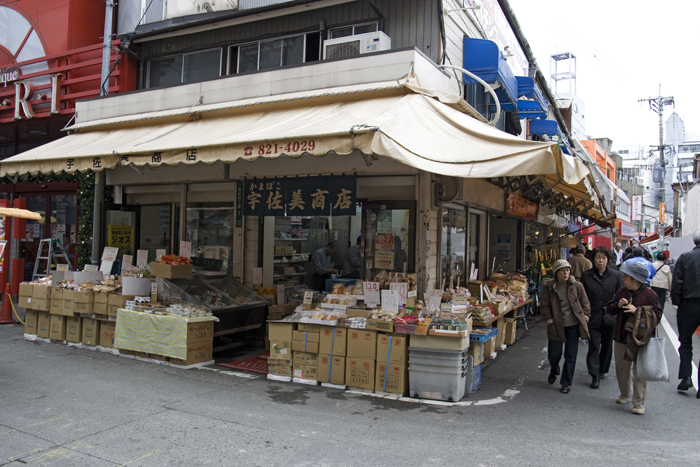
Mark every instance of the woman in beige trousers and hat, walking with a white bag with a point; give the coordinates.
(638, 311)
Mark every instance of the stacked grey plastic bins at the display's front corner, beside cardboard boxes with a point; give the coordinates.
(438, 382)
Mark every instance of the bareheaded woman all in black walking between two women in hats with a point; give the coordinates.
(600, 282)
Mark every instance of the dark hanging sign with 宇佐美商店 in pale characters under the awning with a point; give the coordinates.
(307, 196)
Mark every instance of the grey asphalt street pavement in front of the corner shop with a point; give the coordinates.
(66, 406)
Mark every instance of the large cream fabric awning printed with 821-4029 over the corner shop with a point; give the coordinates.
(403, 122)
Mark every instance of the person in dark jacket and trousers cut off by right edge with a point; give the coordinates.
(685, 293)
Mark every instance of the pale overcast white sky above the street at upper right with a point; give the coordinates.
(624, 50)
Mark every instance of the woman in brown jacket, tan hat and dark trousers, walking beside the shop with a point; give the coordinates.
(565, 309)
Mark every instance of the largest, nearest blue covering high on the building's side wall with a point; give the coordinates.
(483, 58)
